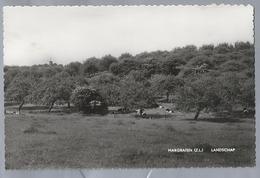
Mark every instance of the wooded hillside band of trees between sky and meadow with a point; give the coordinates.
(193, 79)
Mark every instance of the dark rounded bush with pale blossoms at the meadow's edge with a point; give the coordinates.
(88, 100)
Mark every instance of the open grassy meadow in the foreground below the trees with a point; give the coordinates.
(59, 140)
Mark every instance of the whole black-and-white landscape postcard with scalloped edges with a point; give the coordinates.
(129, 86)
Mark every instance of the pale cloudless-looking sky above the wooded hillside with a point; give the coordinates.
(35, 35)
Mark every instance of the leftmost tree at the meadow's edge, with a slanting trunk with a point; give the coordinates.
(18, 90)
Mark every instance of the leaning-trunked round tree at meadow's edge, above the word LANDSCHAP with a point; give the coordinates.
(198, 94)
